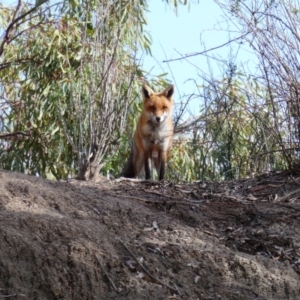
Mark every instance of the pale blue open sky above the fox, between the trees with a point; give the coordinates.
(194, 29)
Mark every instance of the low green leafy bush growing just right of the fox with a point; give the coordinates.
(233, 137)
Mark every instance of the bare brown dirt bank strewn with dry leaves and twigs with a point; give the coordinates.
(150, 240)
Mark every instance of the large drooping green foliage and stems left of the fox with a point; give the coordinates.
(68, 73)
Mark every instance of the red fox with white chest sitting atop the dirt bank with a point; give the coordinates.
(153, 136)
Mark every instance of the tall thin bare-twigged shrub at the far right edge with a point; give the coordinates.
(270, 28)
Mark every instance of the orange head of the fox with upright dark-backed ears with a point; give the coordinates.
(158, 106)
